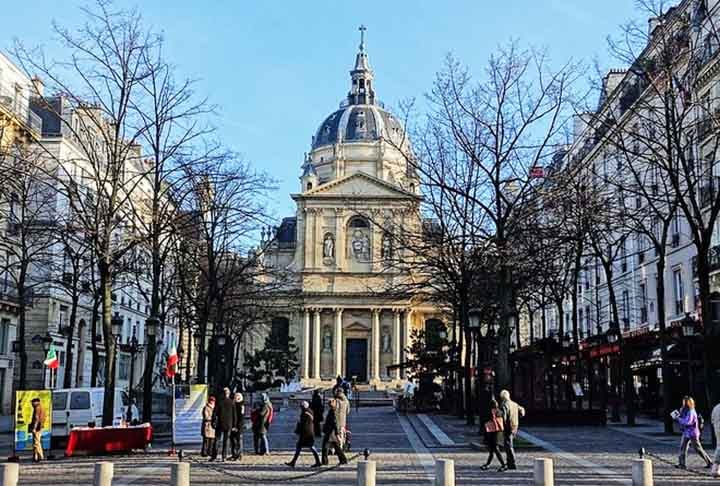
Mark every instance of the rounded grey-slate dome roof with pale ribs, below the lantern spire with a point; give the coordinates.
(357, 123)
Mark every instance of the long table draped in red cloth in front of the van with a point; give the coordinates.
(98, 440)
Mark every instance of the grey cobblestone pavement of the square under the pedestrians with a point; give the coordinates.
(405, 449)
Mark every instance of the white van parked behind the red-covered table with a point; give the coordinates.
(82, 407)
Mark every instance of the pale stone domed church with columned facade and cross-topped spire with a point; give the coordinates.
(355, 183)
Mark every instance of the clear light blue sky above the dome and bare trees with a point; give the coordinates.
(277, 68)
